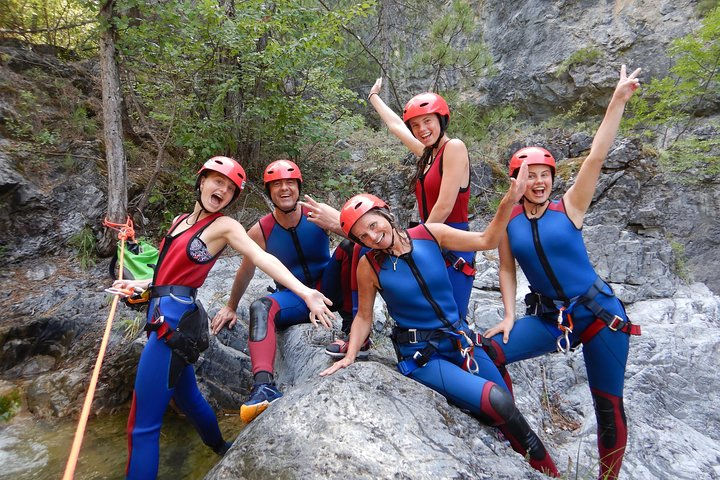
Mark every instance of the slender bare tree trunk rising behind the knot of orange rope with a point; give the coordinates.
(112, 129)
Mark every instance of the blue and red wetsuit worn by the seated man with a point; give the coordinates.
(305, 251)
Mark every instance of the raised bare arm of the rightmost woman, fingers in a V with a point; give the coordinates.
(577, 199)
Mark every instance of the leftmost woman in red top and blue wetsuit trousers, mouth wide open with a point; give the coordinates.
(176, 323)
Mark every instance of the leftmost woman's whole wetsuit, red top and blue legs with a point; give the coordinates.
(162, 375)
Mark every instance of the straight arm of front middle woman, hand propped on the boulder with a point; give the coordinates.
(362, 323)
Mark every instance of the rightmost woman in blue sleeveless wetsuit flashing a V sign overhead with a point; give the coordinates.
(569, 303)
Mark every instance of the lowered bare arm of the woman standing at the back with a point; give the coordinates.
(456, 175)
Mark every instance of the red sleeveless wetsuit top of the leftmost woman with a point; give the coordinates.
(184, 258)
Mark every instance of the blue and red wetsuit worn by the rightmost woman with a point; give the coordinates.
(553, 257)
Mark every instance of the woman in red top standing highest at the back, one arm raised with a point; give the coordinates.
(442, 176)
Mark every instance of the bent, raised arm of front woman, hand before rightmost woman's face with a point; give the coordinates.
(454, 239)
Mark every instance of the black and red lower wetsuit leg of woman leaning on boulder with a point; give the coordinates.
(499, 410)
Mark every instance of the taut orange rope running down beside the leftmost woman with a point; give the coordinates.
(125, 231)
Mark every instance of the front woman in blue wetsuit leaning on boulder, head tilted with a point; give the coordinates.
(433, 343)
